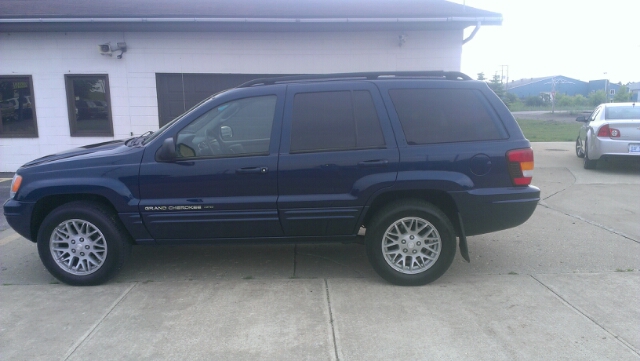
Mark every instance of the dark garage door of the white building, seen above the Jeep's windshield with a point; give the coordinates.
(177, 93)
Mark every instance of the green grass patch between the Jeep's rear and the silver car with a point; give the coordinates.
(549, 130)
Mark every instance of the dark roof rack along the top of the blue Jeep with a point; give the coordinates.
(439, 74)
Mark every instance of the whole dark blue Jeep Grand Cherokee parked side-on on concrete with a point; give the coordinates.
(419, 160)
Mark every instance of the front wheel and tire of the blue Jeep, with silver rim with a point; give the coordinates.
(94, 234)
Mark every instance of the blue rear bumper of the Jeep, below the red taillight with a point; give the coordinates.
(493, 209)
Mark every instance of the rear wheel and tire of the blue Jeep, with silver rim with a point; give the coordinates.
(401, 214)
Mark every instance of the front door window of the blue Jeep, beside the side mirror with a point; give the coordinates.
(239, 127)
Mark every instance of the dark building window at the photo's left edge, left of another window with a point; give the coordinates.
(17, 107)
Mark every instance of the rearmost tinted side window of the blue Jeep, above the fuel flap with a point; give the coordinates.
(444, 115)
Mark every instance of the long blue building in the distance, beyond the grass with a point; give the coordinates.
(539, 86)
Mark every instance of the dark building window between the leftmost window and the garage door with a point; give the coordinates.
(89, 105)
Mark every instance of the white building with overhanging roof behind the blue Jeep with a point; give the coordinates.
(57, 90)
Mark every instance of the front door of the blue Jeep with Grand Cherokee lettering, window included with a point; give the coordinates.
(223, 184)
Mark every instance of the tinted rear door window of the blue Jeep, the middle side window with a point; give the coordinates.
(340, 120)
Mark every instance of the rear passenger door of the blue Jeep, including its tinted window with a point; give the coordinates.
(337, 150)
